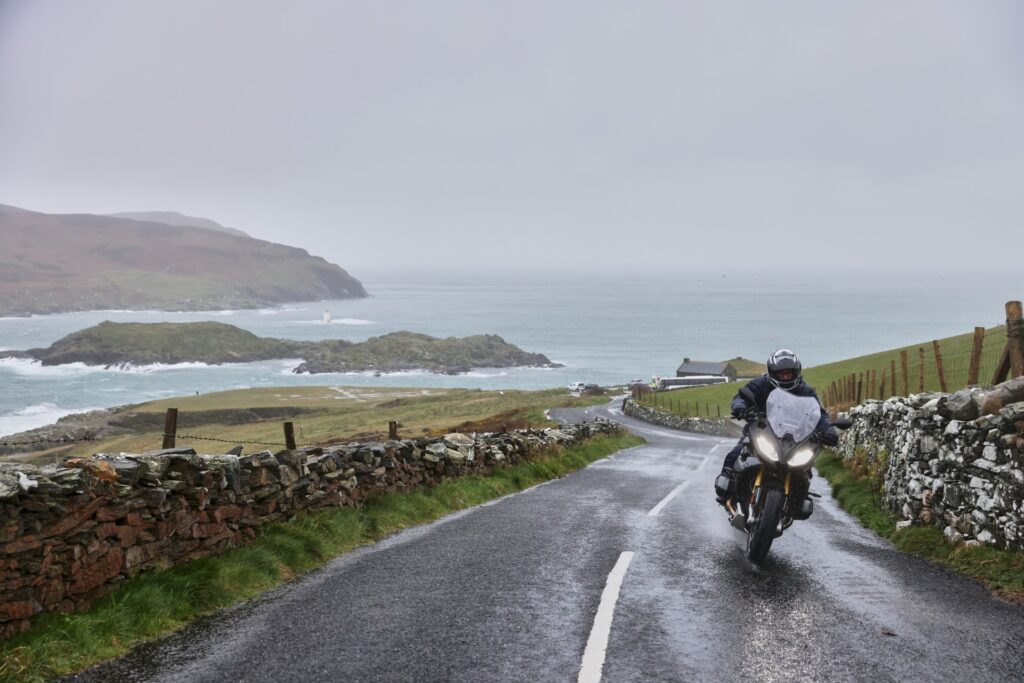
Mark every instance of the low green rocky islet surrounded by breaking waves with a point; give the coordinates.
(146, 344)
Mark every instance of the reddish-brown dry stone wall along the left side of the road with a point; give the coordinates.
(70, 534)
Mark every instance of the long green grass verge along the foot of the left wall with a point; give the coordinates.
(157, 604)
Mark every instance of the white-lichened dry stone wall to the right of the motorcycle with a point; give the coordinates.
(945, 463)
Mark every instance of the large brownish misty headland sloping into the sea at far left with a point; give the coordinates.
(68, 263)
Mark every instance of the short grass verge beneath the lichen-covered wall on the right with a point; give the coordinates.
(1001, 571)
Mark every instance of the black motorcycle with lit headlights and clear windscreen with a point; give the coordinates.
(774, 487)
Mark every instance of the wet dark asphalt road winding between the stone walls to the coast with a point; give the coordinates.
(509, 591)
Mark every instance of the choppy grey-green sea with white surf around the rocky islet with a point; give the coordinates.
(606, 329)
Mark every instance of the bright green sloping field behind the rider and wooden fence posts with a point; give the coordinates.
(714, 401)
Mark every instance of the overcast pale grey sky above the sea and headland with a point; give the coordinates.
(532, 134)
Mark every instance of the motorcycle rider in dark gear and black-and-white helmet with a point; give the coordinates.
(785, 372)
